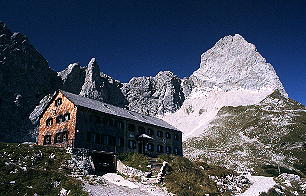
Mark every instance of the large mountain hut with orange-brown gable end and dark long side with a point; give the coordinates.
(82, 126)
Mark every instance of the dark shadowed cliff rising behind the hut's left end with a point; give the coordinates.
(25, 78)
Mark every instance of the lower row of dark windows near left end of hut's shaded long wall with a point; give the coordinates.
(104, 139)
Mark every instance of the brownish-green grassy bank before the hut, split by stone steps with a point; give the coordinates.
(184, 177)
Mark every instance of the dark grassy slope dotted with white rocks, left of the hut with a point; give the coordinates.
(28, 170)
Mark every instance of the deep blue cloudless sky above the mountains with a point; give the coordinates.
(140, 38)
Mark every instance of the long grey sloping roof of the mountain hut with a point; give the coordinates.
(116, 111)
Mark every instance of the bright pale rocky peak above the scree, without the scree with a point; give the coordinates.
(233, 63)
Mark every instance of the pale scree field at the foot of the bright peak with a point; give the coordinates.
(203, 105)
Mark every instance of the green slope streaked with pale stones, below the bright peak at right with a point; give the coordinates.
(261, 137)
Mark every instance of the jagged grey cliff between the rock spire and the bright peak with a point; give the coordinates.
(155, 95)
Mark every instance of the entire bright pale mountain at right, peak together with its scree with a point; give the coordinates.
(231, 73)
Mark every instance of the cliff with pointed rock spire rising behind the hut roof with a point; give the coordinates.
(90, 82)
